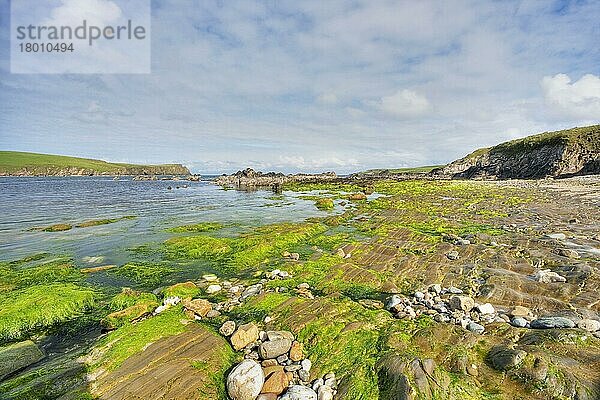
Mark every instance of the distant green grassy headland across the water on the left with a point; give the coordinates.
(23, 164)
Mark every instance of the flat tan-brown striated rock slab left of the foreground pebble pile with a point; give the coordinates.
(165, 371)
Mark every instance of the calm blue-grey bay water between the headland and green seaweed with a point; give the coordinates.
(31, 202)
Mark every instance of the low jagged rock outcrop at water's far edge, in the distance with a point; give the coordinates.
(251, 178)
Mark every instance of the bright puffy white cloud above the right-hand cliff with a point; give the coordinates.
(580, 99)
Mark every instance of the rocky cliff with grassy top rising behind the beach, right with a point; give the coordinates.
(552, 154)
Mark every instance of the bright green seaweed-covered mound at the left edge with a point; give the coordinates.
(41, 306)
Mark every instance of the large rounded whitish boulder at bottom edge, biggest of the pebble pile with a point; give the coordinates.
(245, 381)
